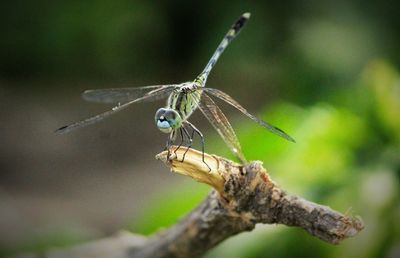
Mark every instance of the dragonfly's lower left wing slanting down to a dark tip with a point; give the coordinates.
(152, 95)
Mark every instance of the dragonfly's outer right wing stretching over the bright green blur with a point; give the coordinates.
(225, 97)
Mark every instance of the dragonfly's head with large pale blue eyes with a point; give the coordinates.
(167, 120)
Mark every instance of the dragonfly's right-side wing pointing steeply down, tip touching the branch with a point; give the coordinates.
(219, 121)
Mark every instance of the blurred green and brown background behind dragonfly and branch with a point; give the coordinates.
(327, 72)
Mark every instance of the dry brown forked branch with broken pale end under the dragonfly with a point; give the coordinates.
(243, 197)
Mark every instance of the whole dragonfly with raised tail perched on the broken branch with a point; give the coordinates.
(182, 100)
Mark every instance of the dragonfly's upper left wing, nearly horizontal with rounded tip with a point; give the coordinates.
(120, 95)
